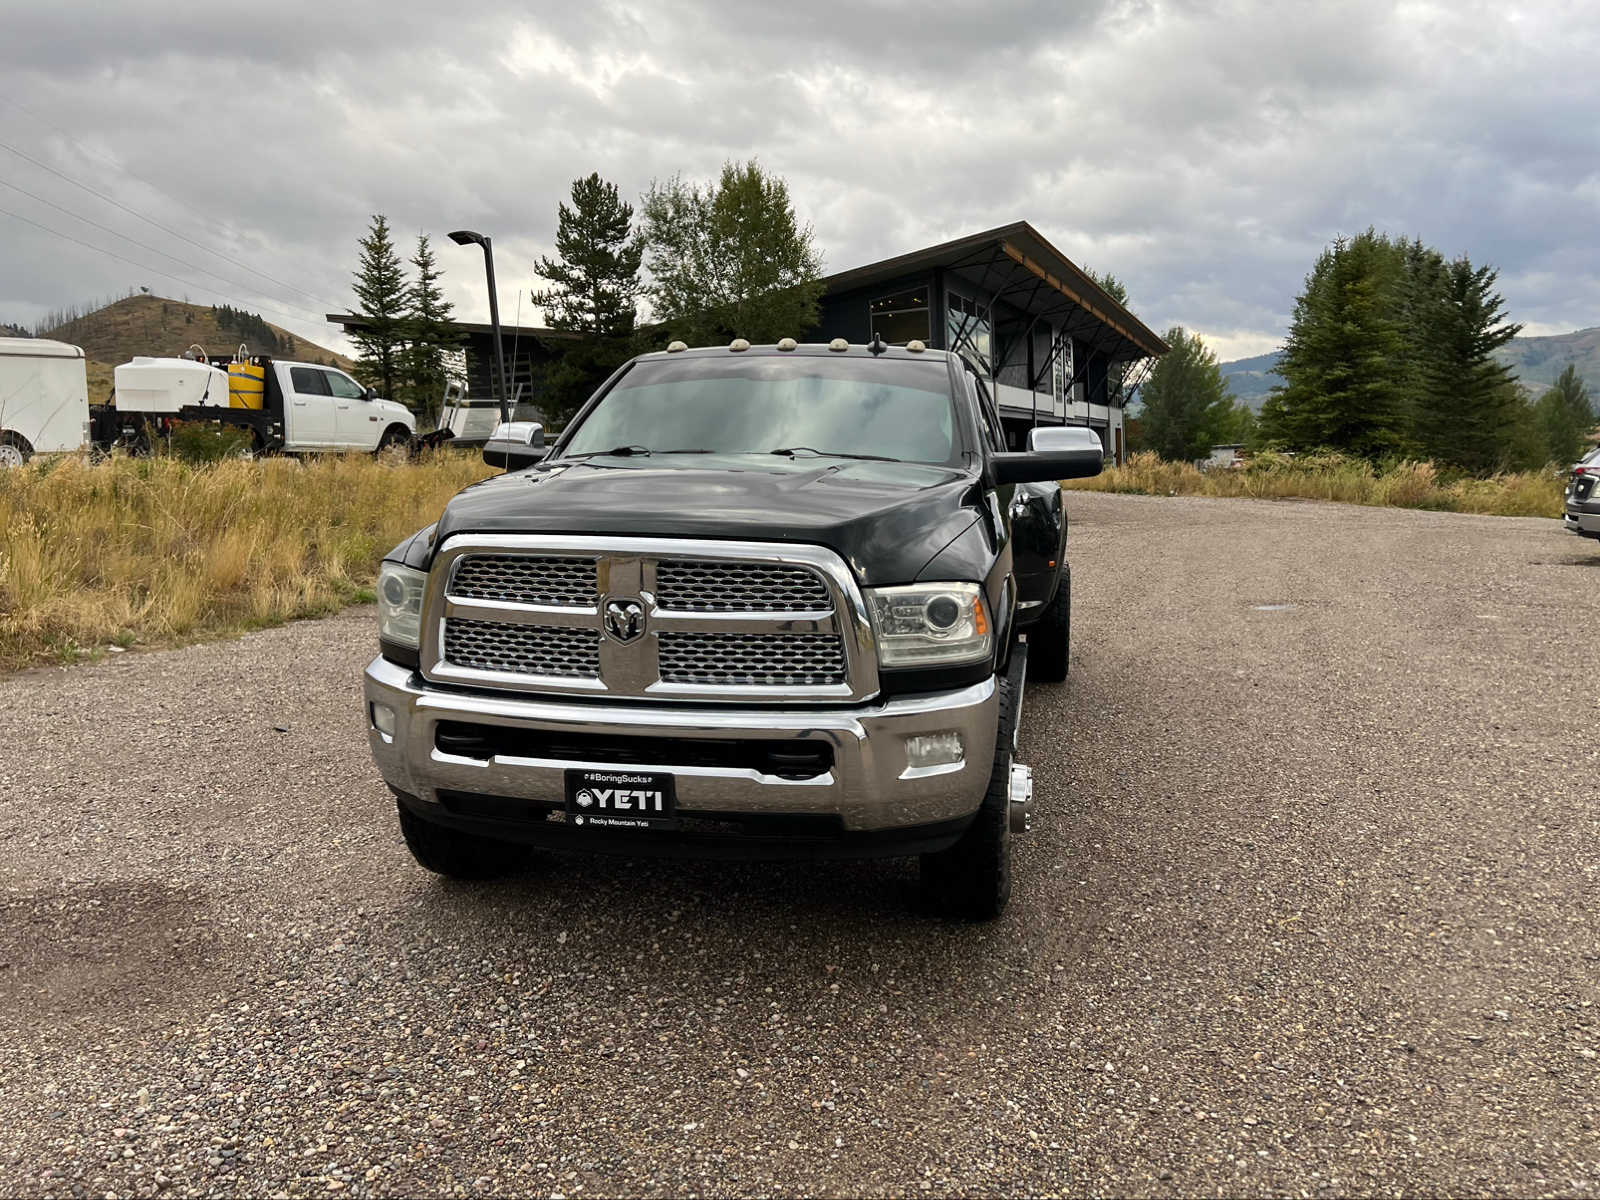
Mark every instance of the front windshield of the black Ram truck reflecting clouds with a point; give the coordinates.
(764, 404)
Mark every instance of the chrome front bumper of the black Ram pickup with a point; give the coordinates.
(870, 788)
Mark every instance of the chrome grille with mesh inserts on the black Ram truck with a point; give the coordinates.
(753, 622)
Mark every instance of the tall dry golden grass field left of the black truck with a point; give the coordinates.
(159, 551)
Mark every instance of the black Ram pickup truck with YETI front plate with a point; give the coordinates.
(758, 602)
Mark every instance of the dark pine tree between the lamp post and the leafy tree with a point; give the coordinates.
(594, 290)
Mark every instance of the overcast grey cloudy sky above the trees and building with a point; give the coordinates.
(1204, 153)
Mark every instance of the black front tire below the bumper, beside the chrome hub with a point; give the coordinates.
(972, 881)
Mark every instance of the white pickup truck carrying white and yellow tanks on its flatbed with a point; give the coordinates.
(290, 407)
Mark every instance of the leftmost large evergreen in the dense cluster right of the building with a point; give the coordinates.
(1348, 382)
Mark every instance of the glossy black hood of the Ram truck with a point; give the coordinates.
(886, 519)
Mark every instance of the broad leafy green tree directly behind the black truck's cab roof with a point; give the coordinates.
(730, 260)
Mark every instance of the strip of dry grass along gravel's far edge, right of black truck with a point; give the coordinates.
(1334, 478)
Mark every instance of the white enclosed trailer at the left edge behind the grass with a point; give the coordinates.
(44, 399)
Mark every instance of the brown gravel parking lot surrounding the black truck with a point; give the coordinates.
(1310, 908)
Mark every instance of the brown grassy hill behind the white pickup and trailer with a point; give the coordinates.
(164, 327)
